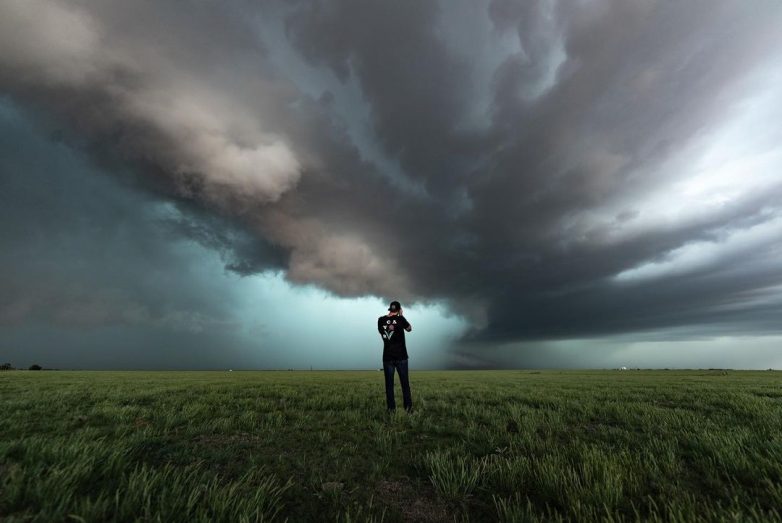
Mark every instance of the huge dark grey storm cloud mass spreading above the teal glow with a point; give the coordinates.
(546, 168)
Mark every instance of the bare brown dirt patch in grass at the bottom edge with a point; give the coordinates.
(416, 505)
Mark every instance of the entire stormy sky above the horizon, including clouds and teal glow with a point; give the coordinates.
(217, 184)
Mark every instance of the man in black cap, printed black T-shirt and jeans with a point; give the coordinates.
(392, 329)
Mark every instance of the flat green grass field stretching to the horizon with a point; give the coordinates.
(319, 446)
